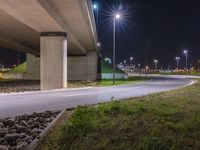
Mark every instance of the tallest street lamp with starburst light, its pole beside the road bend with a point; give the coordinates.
(115, 18)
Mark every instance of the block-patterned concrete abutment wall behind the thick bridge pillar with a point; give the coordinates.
(80, 68)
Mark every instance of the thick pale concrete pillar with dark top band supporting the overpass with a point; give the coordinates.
(53, 54)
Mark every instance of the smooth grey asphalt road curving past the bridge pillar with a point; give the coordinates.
(22, 103)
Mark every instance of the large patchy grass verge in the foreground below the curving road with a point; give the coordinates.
(161, 121)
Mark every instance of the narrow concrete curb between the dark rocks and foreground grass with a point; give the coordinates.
(33, 145)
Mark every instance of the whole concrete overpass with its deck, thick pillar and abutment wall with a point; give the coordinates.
(59, 37)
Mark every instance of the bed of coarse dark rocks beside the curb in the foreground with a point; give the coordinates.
(18, 132)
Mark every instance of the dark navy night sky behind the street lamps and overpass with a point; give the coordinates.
(168, 25)
